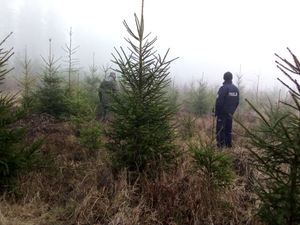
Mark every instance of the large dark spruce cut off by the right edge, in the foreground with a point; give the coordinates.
(275, 146)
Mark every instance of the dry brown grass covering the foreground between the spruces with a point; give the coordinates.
(79, 188)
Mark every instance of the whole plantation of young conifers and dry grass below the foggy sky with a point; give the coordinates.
(154, 160)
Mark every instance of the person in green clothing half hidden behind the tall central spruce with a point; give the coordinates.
(107, 87)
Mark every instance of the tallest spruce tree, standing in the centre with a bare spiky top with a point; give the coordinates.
(141, 134)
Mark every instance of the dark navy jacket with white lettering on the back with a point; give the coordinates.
(227, 100)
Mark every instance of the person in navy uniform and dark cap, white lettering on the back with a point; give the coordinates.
(226, 104)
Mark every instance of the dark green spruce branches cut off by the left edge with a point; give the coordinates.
(15, 154)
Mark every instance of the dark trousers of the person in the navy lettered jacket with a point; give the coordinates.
(224, 130)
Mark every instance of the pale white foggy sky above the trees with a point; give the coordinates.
(210, 37)
